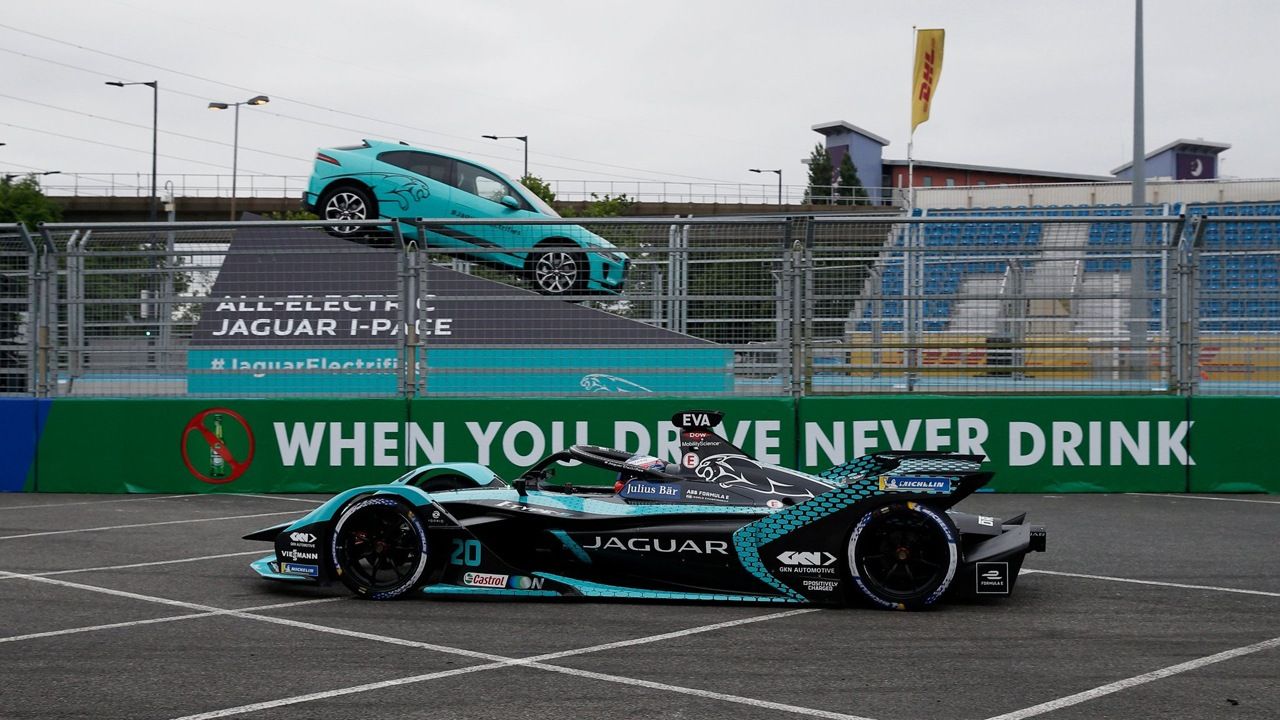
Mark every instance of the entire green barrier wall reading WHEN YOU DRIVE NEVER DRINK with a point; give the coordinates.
(1034, 444)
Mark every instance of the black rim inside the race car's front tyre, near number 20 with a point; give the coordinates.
(381, 549)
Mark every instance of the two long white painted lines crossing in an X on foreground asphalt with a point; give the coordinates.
(497, 660)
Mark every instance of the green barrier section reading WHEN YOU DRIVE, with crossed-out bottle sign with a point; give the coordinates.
(332, 445)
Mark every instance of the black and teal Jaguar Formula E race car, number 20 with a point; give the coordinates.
(719, 526)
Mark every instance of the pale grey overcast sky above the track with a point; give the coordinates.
(685, 90)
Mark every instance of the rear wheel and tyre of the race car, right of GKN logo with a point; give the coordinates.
(903, 557)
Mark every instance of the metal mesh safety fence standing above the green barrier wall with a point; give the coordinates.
(1096, 300)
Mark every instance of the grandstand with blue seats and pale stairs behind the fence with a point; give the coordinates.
(1185, 291)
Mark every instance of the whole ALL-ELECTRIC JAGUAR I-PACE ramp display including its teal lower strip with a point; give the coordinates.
(303, 313)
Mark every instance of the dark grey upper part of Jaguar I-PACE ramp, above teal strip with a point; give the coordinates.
(308, 289)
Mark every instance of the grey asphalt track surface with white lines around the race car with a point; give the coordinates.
(144, 607)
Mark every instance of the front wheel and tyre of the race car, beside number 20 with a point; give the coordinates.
(380, 548)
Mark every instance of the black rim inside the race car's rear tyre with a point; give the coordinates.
(903, 555)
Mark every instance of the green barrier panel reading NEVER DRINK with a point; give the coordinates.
(1034, 444)
